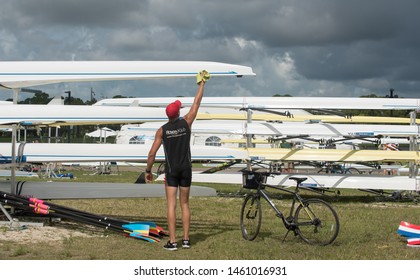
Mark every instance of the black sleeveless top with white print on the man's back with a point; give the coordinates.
(176, 144)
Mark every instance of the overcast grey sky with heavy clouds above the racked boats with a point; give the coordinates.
(301, 48)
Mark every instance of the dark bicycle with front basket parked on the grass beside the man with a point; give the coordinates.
(313, 219)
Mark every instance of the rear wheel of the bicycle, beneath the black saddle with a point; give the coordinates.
(317, 222)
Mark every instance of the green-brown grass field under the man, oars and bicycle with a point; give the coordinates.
(368, 230)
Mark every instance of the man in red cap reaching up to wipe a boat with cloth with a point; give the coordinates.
(175, 136)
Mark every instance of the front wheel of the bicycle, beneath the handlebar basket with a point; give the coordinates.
(251, 216)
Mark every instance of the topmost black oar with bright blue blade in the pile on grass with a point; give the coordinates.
(134, 226)
